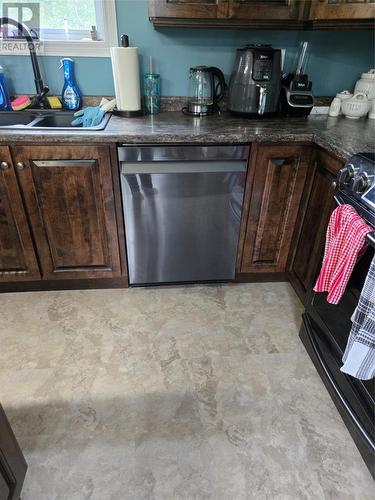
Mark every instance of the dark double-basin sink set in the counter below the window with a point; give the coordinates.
(44, 120)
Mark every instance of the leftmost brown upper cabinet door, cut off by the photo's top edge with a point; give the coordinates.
(190, 9)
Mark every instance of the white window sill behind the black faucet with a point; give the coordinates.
(56, 48)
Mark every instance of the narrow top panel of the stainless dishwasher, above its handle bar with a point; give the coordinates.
(182, 153)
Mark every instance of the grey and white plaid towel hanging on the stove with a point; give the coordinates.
(359, 355)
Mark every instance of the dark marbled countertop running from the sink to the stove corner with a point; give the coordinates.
(340, 136)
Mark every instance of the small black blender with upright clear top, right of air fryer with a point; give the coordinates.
(296, 97)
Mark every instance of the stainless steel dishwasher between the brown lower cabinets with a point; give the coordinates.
(182, 211)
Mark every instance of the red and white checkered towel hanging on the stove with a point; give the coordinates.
(345, 239)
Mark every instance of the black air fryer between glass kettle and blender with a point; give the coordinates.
(254, 87)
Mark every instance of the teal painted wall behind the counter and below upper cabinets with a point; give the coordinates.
(337, 57)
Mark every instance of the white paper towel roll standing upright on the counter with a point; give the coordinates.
(125, 67)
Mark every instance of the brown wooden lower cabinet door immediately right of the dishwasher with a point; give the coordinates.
(274, 189)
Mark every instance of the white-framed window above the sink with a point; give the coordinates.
(65, 27)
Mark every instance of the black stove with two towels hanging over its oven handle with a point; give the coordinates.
(326, 327)
